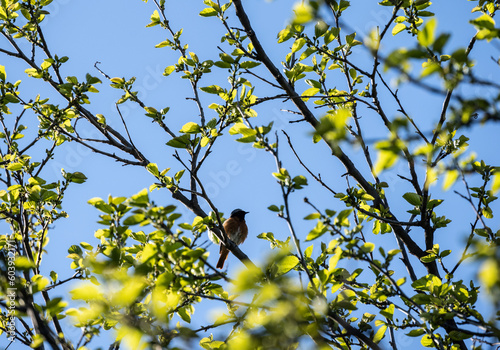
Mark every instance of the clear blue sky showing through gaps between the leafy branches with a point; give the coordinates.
(113, 32)
